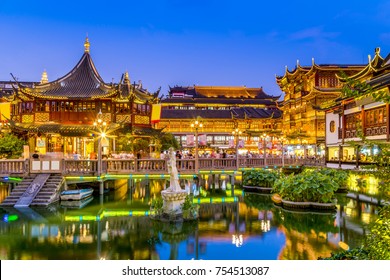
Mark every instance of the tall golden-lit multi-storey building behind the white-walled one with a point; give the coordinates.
(305, 88)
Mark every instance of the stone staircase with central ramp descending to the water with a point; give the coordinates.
(47, 194)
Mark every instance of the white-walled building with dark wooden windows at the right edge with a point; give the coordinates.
(348, 119)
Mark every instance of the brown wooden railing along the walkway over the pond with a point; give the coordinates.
(141, 166)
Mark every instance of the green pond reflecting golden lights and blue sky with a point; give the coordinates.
(233, 225)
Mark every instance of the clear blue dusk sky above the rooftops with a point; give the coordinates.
(200, 42)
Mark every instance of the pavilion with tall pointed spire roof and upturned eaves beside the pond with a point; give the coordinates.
(58, 116)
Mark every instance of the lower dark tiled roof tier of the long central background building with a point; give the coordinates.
(237, 113)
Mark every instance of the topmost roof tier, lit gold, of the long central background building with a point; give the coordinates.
(218, 93)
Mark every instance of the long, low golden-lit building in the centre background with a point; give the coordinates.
(221, 110)
